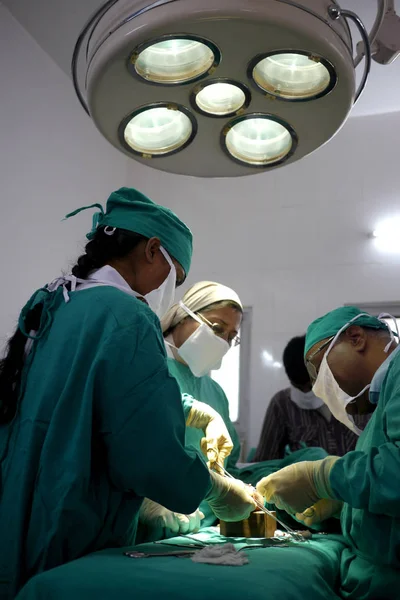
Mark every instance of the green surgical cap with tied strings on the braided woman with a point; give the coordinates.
(129, 209)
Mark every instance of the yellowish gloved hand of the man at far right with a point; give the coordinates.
(298, 486)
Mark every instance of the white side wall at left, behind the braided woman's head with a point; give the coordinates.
(52, 160)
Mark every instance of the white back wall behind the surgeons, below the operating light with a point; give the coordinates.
(293, 242)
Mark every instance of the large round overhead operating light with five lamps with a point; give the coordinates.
(168, 83)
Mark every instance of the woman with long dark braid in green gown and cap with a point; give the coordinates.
(91, 421)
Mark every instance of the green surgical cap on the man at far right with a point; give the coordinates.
(332, 323)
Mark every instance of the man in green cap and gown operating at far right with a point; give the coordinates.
(354, 361)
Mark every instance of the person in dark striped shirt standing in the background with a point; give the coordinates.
(296, 417)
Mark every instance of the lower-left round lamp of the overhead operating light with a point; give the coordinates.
(158, 130)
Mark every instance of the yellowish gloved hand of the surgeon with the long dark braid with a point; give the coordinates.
(230, 499)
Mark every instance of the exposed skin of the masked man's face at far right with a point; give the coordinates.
(354, 360)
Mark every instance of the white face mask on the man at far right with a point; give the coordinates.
(327, 388)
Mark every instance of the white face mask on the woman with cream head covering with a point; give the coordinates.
(203, 351)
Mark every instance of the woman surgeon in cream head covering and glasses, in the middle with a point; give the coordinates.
(198, 332)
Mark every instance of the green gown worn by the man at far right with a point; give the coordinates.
(368, 480)
